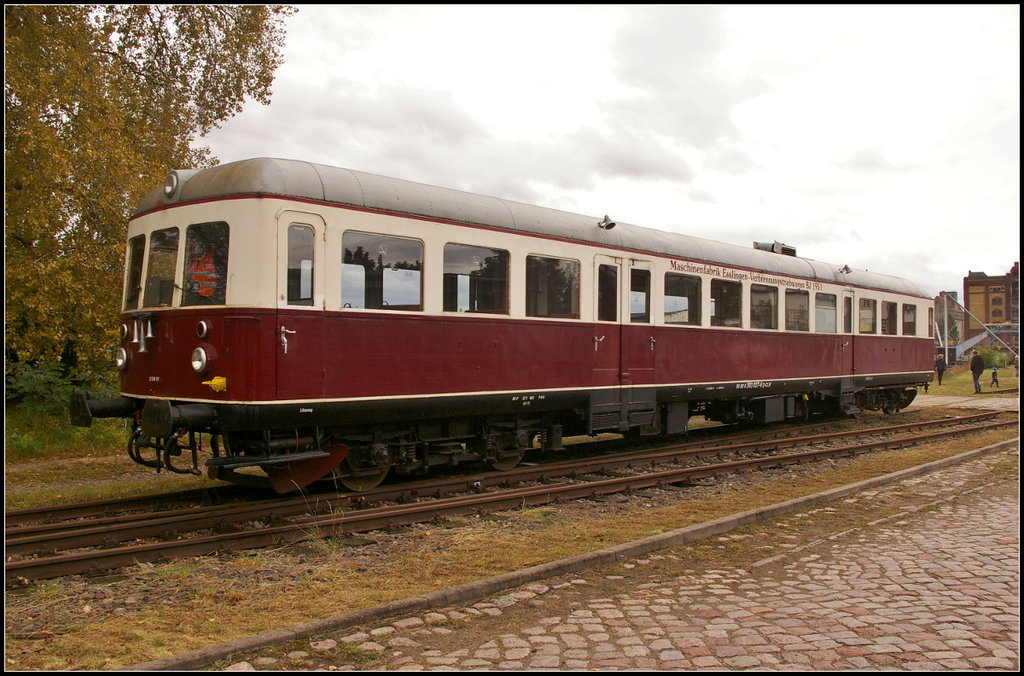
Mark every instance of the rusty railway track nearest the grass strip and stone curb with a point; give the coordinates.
(48, 551)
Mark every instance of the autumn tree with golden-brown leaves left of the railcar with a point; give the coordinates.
(101, 102)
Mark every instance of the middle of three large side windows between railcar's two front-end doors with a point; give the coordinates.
(477, 280)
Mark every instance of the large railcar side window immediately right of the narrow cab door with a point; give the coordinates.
(381, 272)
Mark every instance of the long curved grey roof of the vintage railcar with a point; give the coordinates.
(333, 185)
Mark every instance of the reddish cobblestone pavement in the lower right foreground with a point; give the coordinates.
(934, 587)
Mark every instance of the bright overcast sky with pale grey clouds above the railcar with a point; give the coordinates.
(882, 138)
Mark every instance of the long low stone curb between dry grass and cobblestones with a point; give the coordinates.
(195, 660)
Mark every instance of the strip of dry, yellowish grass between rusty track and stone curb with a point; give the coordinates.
(75, 624)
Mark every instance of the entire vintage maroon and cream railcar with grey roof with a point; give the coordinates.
(311, 320)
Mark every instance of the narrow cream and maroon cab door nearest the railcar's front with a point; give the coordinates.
(300, 329)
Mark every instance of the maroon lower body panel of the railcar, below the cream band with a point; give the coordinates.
(331, 357)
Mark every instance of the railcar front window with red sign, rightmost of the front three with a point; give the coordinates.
(206, 265)
